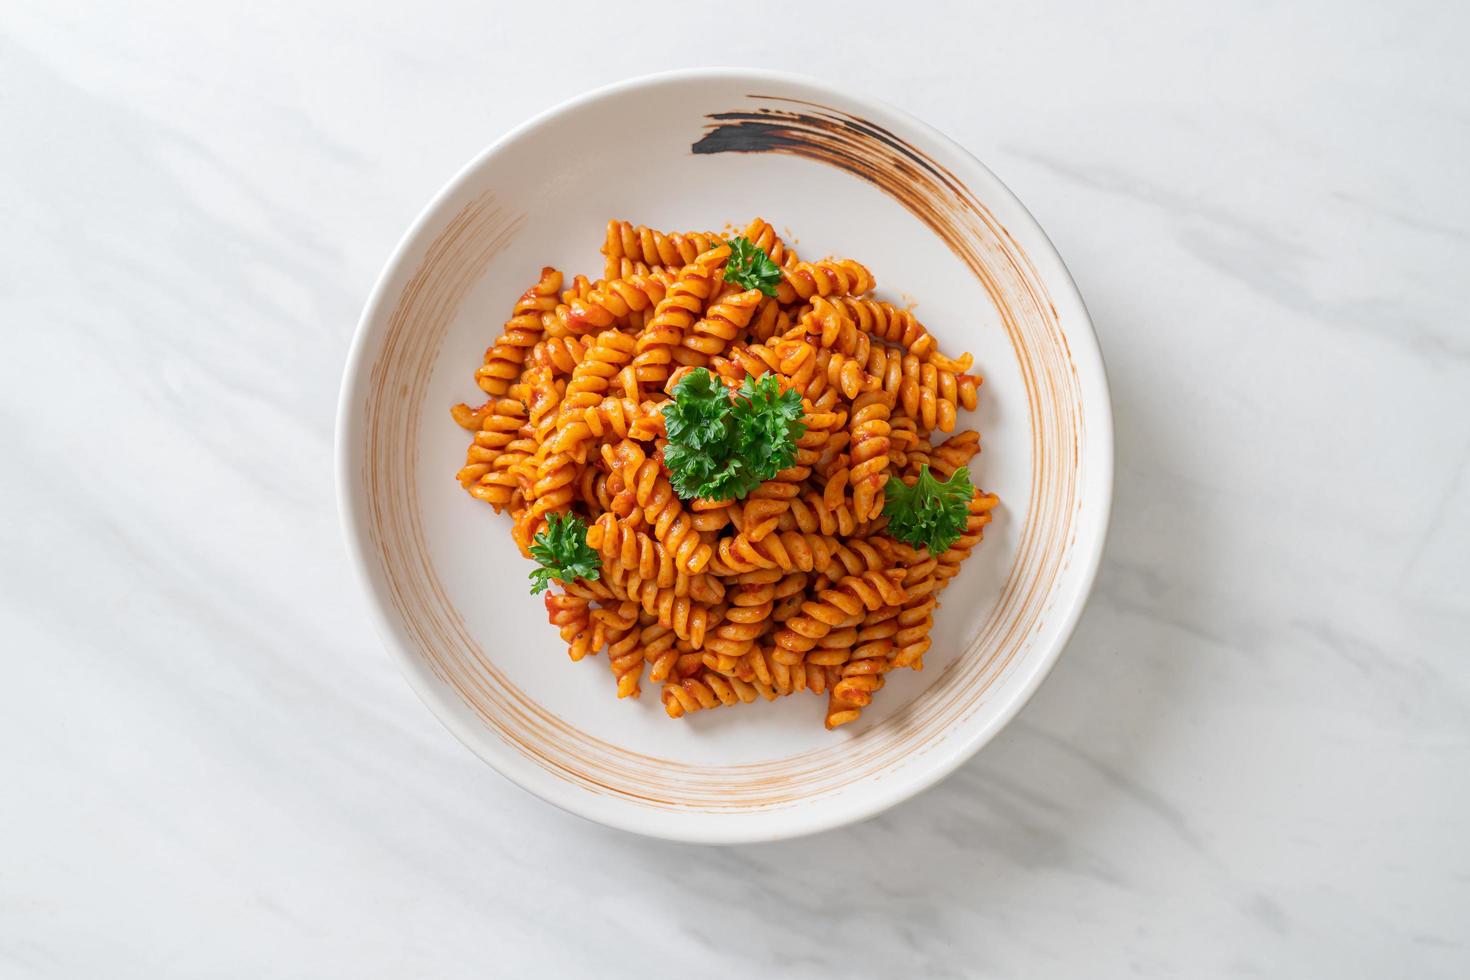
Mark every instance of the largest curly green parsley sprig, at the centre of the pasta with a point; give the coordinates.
(723, 446)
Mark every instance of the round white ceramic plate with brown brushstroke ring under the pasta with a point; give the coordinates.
(695, 151)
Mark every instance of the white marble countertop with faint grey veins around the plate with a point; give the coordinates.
(1253, 760)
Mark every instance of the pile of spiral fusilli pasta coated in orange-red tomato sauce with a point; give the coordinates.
(795, 588)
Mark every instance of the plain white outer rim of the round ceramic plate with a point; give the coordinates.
(1084, 347)
